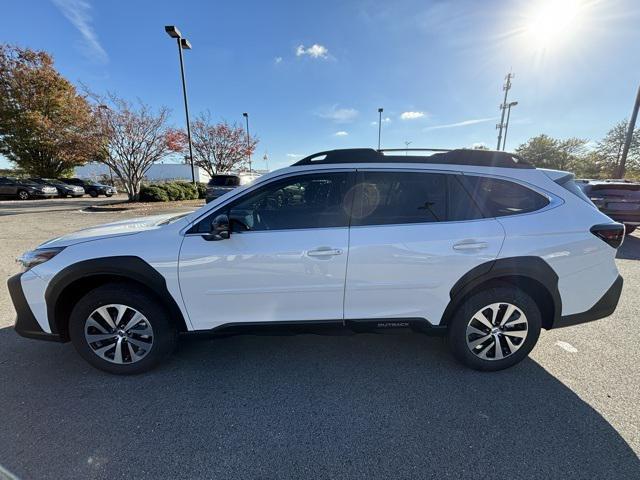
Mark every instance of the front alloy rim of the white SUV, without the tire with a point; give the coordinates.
(118, 333)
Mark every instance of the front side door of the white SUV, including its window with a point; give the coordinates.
(285, 259)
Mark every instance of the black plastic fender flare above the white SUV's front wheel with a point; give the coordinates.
(125, 267)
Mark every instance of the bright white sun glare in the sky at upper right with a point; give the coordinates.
(552, 22)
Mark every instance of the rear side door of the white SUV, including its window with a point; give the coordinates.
(413, 235)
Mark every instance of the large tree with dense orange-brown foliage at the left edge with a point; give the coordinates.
(46, 127)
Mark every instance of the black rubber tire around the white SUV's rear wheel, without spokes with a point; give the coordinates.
(458, 334)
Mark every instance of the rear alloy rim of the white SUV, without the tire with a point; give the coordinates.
(496, 331)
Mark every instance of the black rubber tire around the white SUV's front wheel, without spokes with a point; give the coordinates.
(164, 331)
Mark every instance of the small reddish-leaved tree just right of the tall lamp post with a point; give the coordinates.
(219, 147)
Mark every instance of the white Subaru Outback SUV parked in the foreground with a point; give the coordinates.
(476, 245)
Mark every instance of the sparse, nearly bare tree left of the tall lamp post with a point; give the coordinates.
(134, 138)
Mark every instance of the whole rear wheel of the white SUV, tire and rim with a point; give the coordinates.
(495, 328)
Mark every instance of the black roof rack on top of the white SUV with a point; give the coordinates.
(463, 156)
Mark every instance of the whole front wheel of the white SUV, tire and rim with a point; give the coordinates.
(120, 328)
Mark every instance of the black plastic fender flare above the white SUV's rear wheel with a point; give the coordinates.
(529, 267)
